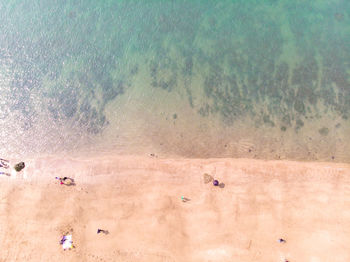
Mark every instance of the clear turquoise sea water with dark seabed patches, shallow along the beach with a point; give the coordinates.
(262, 79)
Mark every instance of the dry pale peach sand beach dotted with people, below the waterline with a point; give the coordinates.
(138, 199)
